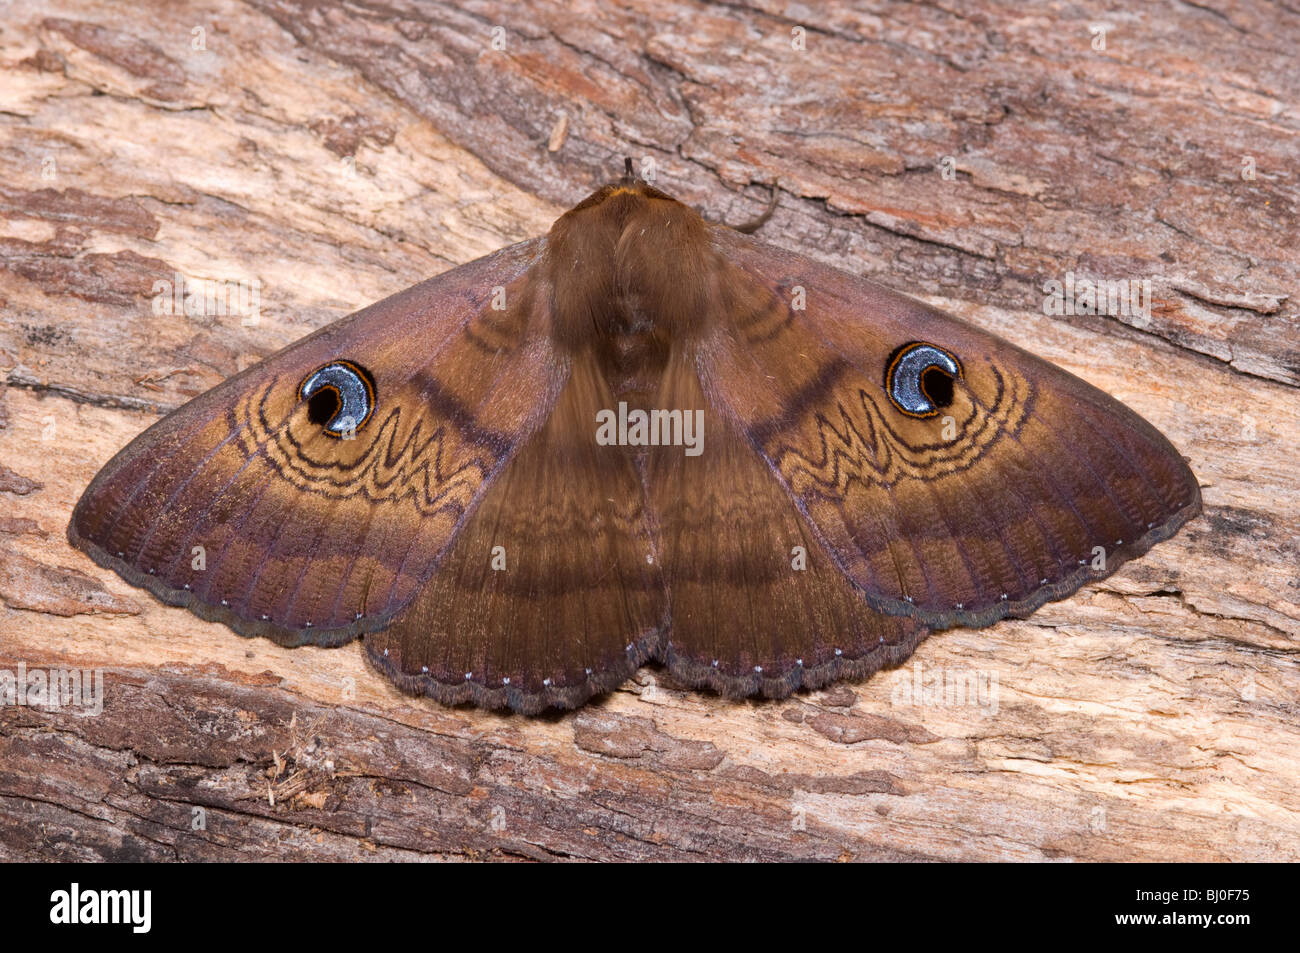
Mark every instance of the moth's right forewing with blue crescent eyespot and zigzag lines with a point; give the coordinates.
(1041, 478)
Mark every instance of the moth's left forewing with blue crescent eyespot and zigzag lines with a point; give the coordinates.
(242, 509)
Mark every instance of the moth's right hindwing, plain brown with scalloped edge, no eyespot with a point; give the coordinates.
(757, 605)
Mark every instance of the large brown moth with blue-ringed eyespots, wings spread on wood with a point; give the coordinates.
(488, 476)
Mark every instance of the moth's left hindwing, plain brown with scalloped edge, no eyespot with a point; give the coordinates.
(553, 592)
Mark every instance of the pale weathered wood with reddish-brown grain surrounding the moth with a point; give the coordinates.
(340, 154)
